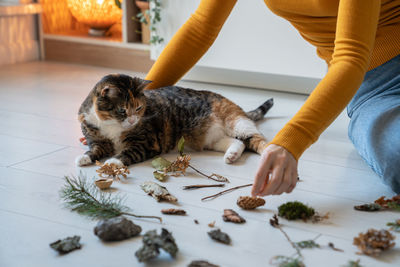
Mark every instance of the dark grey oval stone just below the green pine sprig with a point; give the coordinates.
(116, 229)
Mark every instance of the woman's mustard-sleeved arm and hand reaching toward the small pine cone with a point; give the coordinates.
(355, 35)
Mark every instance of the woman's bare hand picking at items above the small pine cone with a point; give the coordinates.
(277, 172)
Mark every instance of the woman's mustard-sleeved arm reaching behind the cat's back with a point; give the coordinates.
(190, 42)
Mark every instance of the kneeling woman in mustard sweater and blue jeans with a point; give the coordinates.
(356, 38)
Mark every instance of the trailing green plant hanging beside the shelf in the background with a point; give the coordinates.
(152, 17)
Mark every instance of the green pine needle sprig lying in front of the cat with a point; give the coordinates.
(83, 197)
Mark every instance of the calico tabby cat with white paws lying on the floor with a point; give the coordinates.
(121, 120)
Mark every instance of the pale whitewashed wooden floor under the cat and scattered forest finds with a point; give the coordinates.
(39, 135)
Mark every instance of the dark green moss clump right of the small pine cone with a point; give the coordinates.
(295, 210)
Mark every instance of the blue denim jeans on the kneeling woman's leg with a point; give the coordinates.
(374, 125)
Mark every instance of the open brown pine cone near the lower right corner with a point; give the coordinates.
(373, 242)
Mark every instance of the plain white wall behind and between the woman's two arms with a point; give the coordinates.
(255, 48)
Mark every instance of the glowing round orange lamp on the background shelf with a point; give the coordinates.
(99, 15)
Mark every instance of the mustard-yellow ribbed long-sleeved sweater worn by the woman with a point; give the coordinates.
(352, 36)
